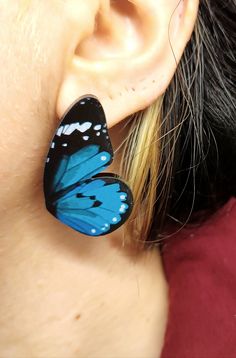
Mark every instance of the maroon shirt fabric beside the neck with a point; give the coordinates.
(200, 266)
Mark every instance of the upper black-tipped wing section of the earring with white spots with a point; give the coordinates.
(81, 147)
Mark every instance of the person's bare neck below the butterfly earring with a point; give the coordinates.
(58, 288)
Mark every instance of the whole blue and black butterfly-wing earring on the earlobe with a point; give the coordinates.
(76, 192)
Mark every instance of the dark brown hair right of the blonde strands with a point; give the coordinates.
(198, 146)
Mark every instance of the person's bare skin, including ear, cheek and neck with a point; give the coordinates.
(64, 294)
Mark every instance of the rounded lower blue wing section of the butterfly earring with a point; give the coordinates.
(96, 207)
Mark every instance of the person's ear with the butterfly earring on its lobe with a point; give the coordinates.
(129, 55)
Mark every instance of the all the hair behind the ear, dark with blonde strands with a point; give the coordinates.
(179, 157)
